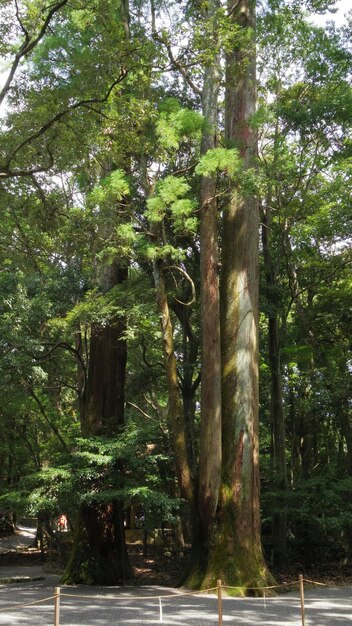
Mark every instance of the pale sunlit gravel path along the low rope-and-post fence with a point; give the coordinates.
(92, 606)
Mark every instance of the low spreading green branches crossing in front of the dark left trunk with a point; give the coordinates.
(100, 470)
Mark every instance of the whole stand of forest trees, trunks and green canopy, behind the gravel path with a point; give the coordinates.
(148, 151)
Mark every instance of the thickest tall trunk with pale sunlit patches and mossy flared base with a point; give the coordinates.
(236, 554)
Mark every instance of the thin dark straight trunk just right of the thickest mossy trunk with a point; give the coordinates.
(279, 515)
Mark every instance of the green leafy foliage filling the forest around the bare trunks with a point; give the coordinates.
(109, 133)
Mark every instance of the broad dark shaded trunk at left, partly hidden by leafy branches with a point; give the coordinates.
(99, 554)
